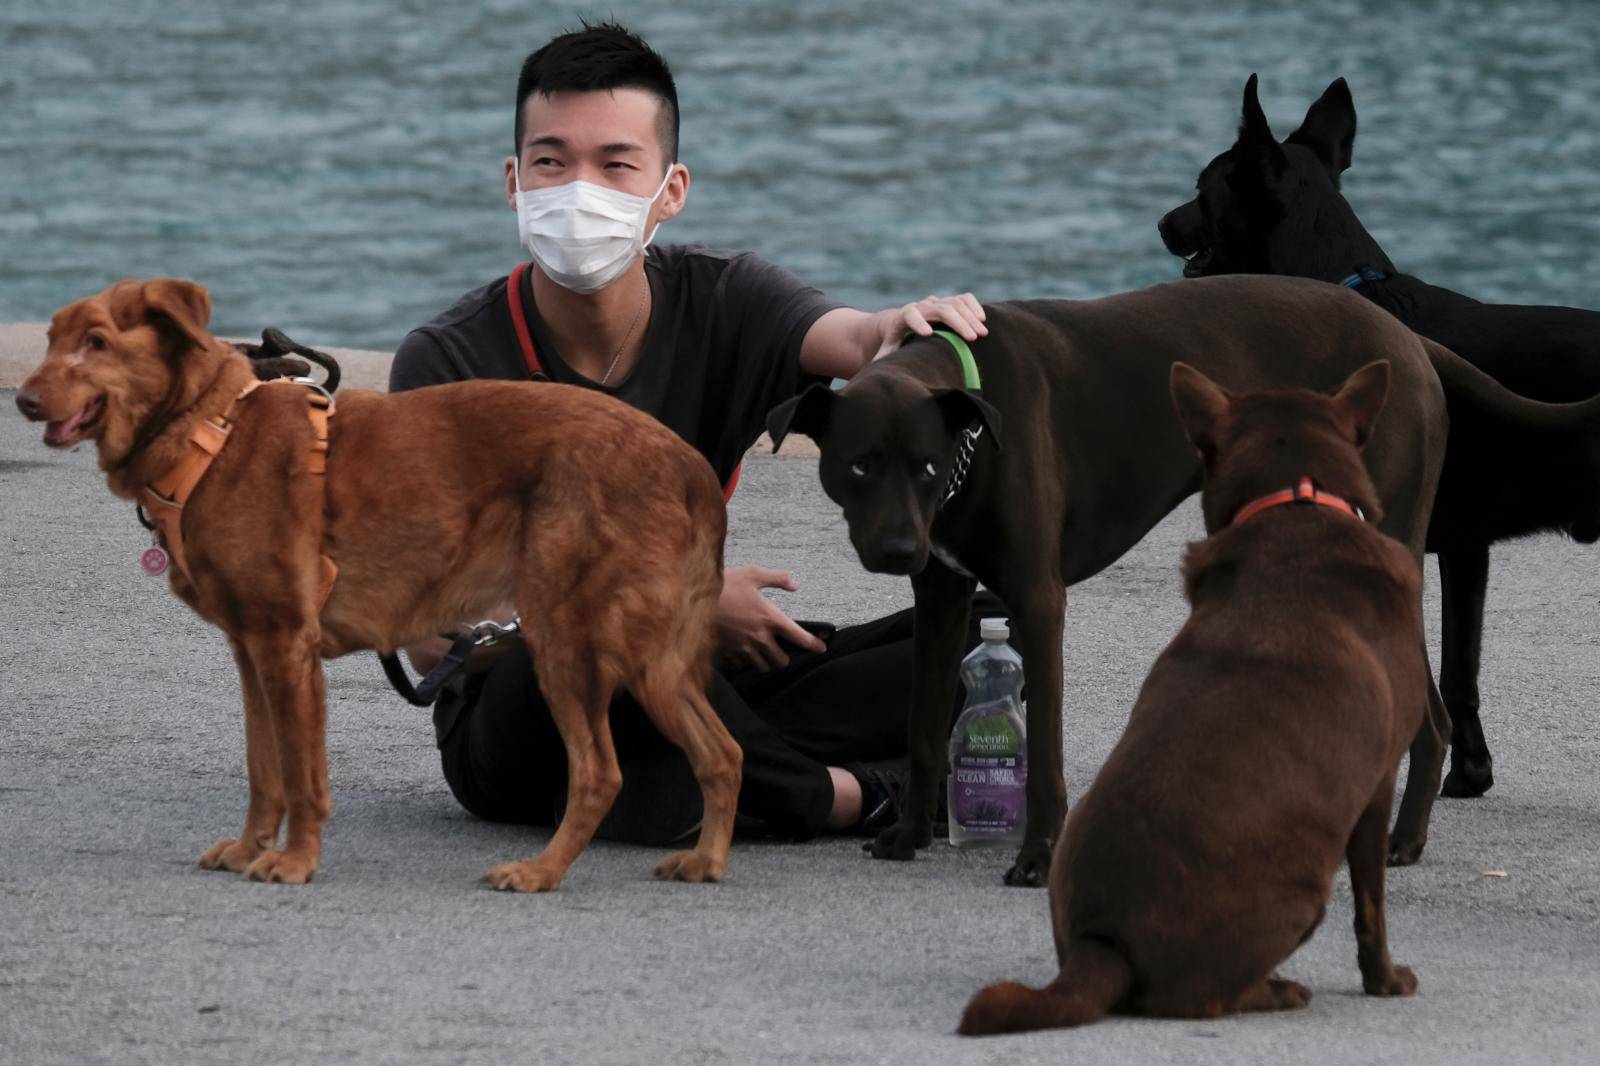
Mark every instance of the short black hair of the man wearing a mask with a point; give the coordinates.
(601, 58)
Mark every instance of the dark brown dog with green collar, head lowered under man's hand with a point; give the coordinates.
(1087, 462)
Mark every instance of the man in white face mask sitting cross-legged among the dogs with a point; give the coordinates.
(706, 342)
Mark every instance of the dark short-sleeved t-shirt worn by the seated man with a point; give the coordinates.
(722, 347)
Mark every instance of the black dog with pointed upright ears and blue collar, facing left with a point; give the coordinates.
(1276, 209)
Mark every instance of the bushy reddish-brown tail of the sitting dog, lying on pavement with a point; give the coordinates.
(1094, 979)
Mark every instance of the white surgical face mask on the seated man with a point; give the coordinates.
(583, 236)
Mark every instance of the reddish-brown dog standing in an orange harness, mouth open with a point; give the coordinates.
(594, 519)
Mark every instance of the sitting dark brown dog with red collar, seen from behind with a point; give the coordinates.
(1265, 743)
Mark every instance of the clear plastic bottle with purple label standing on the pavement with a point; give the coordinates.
(988, 788)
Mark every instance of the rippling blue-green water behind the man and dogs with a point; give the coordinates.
(335, 167)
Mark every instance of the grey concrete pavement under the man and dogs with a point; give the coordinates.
(122, 759)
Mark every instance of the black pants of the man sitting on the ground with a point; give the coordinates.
(505, 758)
